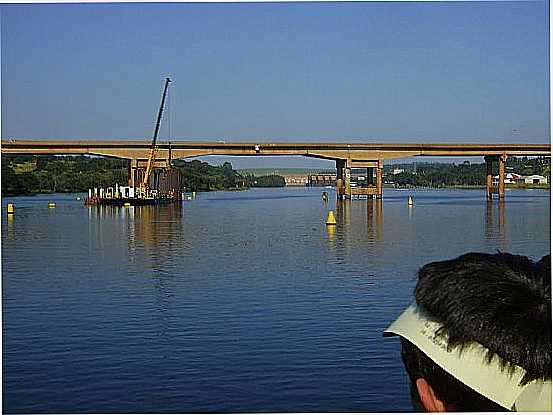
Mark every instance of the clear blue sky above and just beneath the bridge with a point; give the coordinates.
(348, 72)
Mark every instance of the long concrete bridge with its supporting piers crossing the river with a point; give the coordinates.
(346, 155)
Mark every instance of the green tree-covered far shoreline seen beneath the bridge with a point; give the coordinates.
(30, 175)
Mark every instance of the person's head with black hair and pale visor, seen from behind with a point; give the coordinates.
(479, 336)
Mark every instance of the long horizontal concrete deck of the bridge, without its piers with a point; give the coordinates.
(331, 151)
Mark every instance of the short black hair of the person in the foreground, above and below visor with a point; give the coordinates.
(501, 301)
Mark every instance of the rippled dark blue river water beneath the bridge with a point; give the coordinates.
(232, 302)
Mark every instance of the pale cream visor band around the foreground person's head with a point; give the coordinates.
(470, 366)
